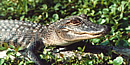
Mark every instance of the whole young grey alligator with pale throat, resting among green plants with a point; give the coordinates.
(32, 36)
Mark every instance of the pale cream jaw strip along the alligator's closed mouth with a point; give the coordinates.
(76, 36)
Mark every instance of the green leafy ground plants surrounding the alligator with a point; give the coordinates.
(114, 13)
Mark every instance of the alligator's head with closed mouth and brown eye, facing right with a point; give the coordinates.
(74, 29)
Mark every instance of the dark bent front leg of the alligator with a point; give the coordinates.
(32, 53)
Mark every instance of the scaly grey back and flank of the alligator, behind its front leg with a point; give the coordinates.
(19, 33)
